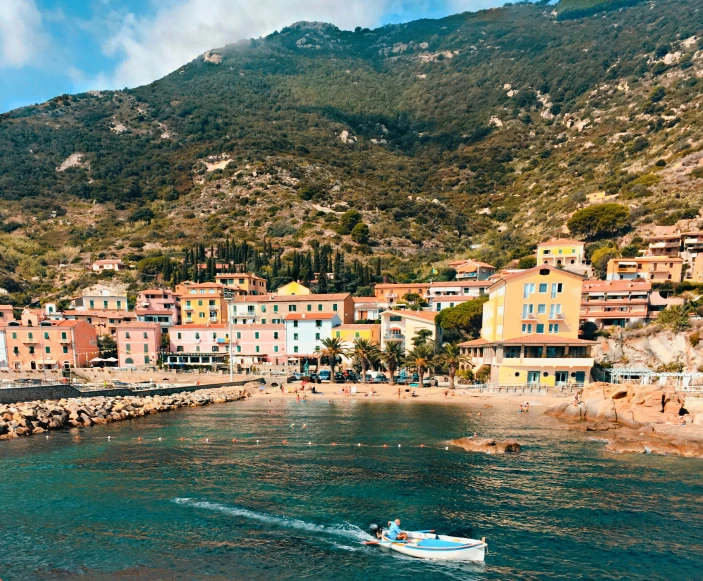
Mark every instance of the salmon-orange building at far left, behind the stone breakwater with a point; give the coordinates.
(51, 345)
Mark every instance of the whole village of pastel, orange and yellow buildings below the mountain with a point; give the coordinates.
(537, 328)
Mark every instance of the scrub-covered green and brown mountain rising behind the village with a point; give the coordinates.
(479, 133)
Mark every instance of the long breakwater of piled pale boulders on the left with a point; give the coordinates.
(36, 417)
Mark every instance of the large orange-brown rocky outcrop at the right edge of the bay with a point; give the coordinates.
(639, 418)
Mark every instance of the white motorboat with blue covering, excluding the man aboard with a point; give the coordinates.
(437, 547)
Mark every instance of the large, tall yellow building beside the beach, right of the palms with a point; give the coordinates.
(530, 330)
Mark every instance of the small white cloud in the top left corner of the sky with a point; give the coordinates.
(22, 39)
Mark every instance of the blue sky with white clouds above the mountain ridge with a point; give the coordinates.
(53, 47)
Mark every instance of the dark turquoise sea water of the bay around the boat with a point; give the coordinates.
(171, 509)
